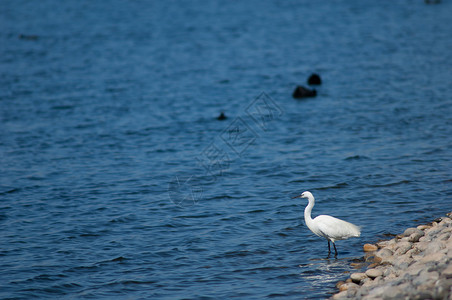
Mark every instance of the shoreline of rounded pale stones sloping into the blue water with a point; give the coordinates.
(414, 265)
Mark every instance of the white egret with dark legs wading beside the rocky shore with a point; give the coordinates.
(331, 228)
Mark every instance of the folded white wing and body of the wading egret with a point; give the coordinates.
(336, 229)
